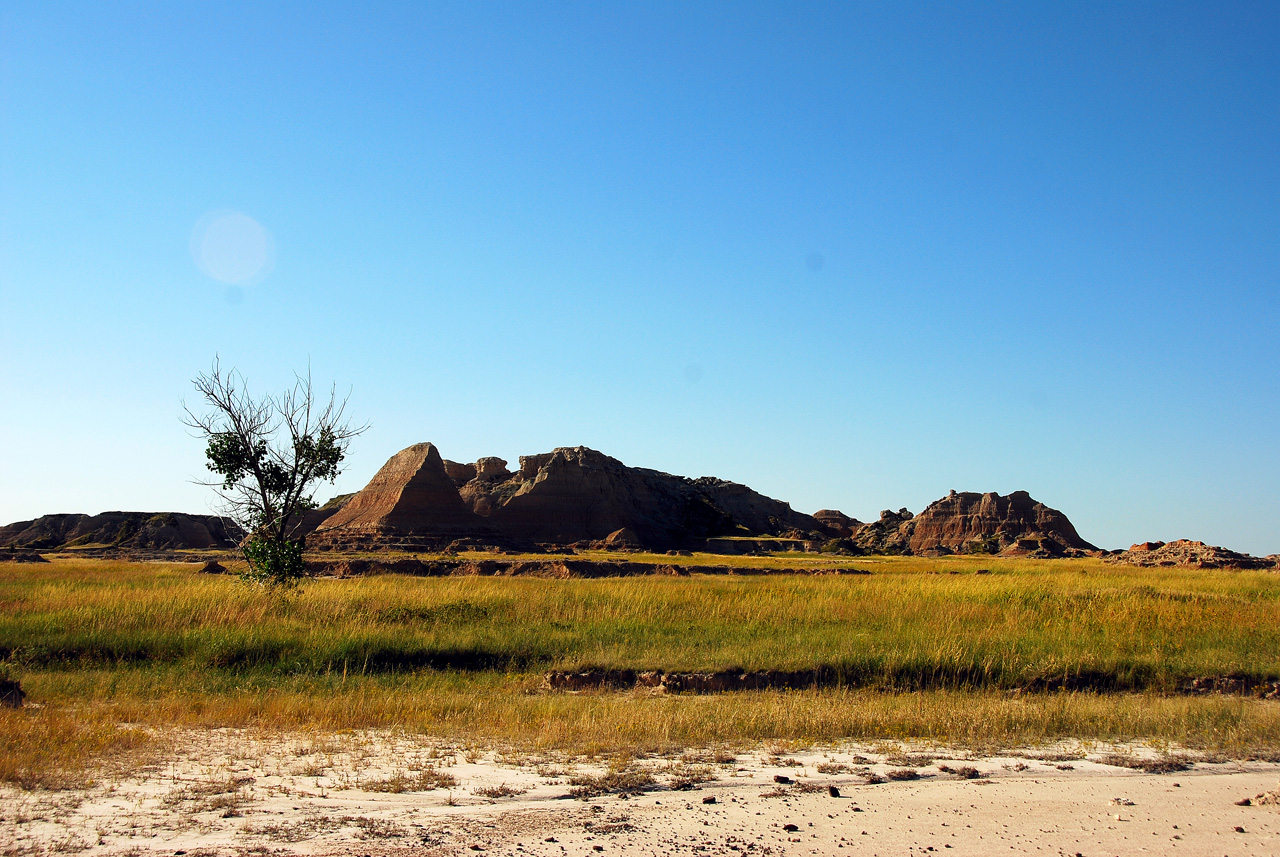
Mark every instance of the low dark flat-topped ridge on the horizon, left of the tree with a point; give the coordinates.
(130, 530)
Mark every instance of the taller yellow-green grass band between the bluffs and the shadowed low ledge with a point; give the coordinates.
(911, 625)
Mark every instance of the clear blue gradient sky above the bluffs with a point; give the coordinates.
(853, 255)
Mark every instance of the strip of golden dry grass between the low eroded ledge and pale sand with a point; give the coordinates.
(509, 711)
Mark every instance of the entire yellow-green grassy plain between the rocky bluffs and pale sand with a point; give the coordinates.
(922, 648)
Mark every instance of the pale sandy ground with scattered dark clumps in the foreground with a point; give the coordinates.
(382, 794)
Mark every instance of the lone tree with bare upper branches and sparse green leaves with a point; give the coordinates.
(269, 455)
